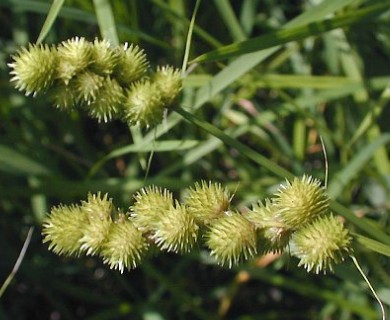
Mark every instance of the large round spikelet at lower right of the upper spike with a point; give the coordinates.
(143, 105)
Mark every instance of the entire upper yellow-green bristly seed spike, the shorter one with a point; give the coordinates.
(108, 82)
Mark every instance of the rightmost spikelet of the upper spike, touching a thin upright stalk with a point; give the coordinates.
(169, 82)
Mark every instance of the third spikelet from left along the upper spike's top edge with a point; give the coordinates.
(104, 57)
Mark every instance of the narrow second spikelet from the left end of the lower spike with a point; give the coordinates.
(98, 210)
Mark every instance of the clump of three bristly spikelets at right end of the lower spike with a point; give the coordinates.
(298, 217)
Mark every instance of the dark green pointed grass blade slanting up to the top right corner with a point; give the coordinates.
(291, 34)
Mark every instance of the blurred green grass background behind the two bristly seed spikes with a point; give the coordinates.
(266, 80)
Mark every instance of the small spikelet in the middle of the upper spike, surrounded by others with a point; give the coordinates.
(88, 85)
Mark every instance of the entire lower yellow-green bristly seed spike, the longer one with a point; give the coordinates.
(297, 217)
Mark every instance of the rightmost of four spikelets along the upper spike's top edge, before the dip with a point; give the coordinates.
(132, 64)
